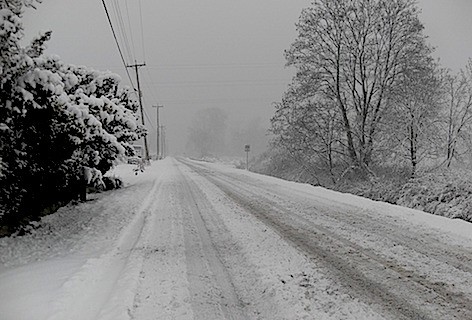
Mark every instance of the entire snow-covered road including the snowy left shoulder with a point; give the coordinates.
(193, 240)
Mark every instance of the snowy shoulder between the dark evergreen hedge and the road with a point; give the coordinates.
(65, 267)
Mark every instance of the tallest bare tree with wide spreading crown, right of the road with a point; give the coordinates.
(354, 52)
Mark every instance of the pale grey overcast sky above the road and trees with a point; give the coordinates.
(210, 53)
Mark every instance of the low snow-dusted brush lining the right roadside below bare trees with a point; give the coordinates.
(444, 192)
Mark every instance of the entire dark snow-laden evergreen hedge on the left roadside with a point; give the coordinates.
(56, 120)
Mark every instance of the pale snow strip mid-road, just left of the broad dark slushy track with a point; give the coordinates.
(255, 260)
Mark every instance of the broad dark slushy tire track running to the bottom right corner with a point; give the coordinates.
(313, 241)
